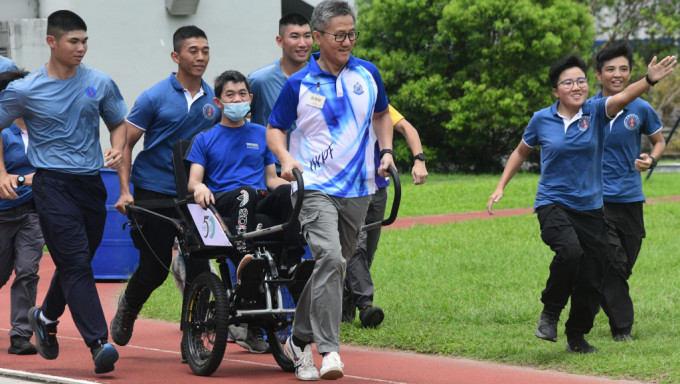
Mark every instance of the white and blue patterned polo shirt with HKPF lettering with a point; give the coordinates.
(334, 140)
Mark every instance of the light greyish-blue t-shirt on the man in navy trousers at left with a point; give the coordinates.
(62, 117)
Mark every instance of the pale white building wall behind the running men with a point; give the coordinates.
(131, 40)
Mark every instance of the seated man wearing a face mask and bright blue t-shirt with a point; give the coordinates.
(232, 167)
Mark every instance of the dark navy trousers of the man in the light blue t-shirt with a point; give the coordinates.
(72, 214)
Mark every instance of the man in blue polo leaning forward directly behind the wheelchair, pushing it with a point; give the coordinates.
(176, 108)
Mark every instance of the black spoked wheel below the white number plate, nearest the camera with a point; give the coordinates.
(205, 324)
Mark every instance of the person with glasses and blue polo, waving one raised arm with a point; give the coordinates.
(568, 203)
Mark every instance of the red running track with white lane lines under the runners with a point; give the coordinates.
(153, 355)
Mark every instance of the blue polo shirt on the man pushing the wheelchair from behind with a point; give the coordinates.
(163, 112)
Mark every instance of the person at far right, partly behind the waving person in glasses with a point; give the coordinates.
(623, 198)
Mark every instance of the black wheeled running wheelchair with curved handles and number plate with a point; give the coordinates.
(264, 295)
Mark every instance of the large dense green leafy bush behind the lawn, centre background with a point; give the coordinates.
(469, 73)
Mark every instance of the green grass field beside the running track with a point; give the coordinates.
(472, 289)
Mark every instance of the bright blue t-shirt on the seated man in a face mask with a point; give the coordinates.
(232, 157)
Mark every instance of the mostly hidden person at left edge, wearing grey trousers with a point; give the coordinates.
(21, 241)
